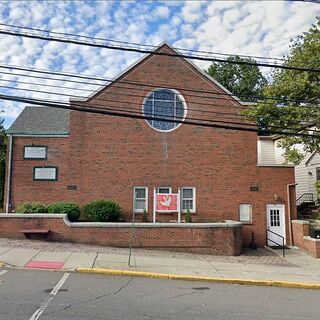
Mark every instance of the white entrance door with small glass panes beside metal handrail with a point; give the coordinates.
(276, 224)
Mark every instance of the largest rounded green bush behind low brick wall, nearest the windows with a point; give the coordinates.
(102, 211)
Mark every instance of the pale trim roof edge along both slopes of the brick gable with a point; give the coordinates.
(144, 57)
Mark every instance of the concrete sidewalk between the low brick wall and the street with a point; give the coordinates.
(261, 264)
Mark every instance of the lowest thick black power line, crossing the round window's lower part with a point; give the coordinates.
(138, 115)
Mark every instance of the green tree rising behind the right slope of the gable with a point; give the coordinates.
(245, 81)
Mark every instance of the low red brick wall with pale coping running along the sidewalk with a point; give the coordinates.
(219, 241)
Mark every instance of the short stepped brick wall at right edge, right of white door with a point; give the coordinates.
(302, 239)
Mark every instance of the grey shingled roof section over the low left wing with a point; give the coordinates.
(35, 120)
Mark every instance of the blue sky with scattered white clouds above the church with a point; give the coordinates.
(260, 28)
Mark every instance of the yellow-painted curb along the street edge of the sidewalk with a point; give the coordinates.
(252, 282)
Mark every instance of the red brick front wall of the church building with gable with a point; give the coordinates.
(108, 156)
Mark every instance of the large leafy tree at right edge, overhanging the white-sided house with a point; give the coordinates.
(303, 113)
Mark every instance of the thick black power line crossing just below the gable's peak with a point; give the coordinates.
(139, 50)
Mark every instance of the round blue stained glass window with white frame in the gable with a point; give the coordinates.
(162, 105)
